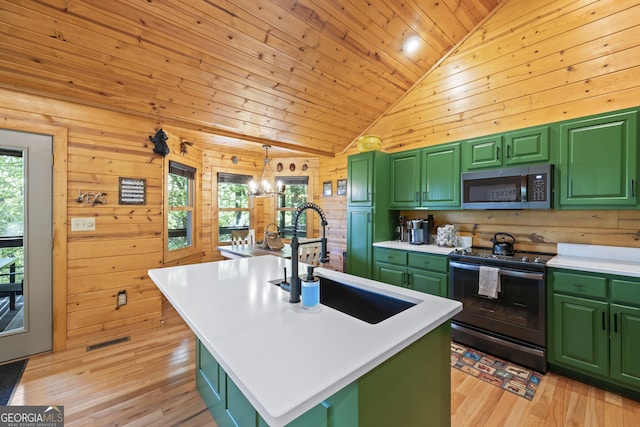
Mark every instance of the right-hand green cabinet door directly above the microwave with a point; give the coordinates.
(526, 146)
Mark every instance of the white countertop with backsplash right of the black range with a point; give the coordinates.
(598, 259)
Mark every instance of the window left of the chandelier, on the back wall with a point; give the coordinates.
(233, 204)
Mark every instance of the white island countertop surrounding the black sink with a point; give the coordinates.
(286, 359)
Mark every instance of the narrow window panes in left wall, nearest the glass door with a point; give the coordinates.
(181, 198)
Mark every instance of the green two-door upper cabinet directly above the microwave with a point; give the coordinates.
(524, 146)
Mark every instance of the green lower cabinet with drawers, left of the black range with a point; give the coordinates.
(422, 272)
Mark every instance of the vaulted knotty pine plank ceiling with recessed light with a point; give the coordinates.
(307, 76)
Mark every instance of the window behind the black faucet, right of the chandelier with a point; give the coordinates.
(295, 194)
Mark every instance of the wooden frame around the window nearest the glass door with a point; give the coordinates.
(193, 207)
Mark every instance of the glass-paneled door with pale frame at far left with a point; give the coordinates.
(26, 230)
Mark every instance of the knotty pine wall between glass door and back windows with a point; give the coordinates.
(102, 146)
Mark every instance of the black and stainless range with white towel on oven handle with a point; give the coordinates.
(504, 304)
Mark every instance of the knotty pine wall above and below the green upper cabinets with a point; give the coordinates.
(530, 62)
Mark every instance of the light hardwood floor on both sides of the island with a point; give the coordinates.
(149, 381)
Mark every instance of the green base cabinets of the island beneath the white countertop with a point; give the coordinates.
(411, 388)
